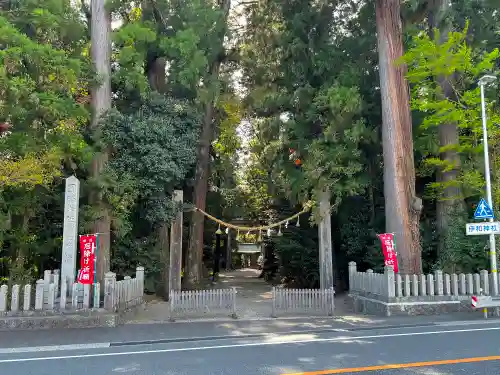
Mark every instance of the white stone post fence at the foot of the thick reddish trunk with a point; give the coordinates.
(391, 285)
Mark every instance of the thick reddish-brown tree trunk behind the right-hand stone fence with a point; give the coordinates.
(402, 206)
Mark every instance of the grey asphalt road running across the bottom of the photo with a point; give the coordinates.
(445, 350)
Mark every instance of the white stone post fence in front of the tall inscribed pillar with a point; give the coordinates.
(50, 295)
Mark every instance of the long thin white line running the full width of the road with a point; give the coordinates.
(229, 346)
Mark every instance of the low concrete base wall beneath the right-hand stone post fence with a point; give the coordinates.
(419, 305)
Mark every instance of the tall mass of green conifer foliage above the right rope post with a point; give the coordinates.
(312, 108)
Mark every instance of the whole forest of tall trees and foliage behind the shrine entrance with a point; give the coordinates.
(212, 97)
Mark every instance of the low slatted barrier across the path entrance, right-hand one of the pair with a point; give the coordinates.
(303, 301)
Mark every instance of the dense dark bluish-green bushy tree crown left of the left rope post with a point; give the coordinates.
(155, 146)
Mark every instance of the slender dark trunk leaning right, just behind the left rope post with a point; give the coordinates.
(196, 227)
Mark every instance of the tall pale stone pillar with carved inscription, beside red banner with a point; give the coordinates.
(70, 231)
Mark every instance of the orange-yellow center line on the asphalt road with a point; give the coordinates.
(398, 366)
